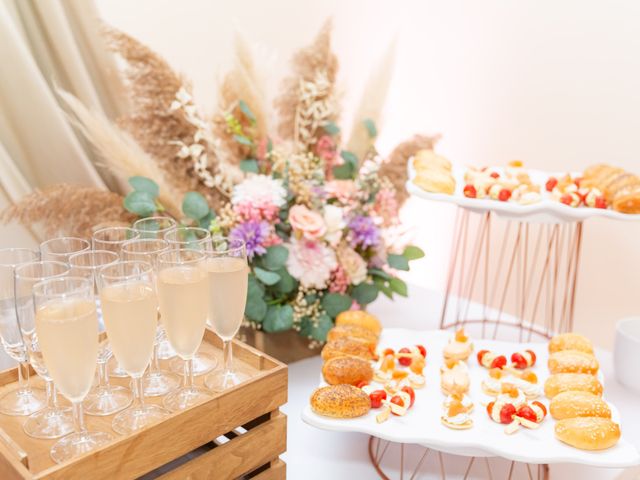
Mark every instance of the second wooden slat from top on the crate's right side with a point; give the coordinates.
(239, 456)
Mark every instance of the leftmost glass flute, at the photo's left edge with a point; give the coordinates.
(23, 400)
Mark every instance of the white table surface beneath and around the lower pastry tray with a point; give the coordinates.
(318, 454)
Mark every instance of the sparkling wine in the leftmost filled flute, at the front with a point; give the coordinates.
(68, 336)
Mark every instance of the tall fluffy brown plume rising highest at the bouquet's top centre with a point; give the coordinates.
(308, 99)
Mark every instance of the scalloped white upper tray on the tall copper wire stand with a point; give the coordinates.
(546, 210)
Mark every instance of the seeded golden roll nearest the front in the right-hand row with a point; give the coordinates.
(588, 433)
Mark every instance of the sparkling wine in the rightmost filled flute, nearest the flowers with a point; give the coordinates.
(228, 277)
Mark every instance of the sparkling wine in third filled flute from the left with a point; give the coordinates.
(182, 293)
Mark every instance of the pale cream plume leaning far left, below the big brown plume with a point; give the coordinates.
(121, 153)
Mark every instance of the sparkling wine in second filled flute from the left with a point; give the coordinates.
(130, 312)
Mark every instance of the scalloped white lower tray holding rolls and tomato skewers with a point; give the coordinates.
(422, 425)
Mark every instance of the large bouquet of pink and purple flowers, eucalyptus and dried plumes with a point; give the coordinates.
(319, 214)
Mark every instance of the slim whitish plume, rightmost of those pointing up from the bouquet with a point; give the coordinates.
(372, 104)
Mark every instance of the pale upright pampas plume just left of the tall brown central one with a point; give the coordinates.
(242, 82)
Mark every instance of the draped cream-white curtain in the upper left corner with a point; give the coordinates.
(44, 44)
